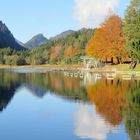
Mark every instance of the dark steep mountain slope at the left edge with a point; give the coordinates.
(7, 39)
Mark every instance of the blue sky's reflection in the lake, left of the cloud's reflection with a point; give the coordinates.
(31, 118)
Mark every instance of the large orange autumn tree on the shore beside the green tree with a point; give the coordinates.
(108, 41)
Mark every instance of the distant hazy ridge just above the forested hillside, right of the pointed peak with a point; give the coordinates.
(62, 35)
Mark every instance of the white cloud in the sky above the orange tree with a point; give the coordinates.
(93, 12)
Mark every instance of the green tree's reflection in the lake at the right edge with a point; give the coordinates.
(131, 112)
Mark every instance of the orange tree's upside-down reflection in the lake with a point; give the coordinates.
(109, 98)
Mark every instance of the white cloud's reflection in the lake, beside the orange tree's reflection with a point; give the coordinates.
(89, 124)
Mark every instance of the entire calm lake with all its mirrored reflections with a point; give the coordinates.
(48, 105)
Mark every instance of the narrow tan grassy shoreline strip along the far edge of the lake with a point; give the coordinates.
(109, 68)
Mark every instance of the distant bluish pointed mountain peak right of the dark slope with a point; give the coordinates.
(36, 41)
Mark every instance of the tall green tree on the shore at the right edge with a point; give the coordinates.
(131, 29)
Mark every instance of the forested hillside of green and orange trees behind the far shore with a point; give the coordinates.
(67, 50)
